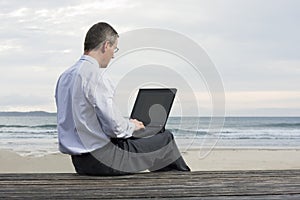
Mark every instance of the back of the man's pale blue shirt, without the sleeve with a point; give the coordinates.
(78, 127)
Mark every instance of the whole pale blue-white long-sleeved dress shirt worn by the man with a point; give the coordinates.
(86, 114)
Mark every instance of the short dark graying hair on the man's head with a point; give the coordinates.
(98, 34)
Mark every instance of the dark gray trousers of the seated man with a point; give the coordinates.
(126, 156)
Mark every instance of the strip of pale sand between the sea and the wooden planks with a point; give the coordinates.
(218, 159)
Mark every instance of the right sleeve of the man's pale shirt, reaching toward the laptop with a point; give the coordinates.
(110, 118)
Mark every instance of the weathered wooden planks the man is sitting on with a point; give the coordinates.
(283, 184)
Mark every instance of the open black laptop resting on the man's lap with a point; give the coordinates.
(152, 107)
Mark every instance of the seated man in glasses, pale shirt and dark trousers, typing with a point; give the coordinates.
(90, 126)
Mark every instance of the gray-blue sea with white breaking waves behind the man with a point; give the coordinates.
(36, 135)
